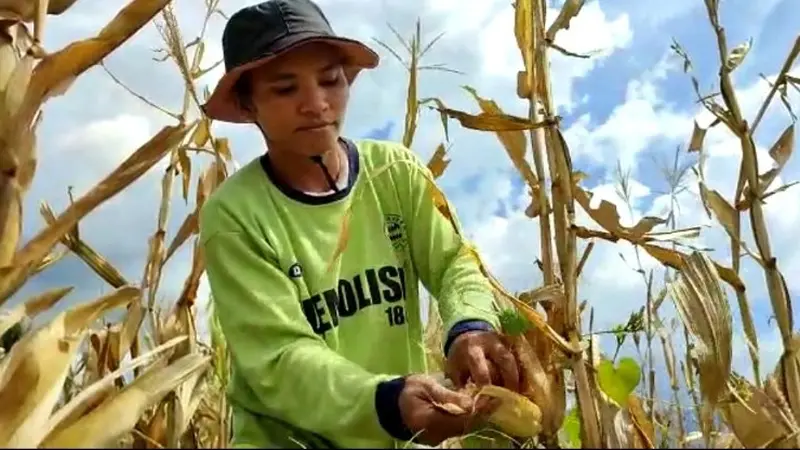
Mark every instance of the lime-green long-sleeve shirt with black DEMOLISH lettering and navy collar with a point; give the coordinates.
(319, 355)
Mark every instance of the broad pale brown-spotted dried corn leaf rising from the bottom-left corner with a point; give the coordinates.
(37, 366)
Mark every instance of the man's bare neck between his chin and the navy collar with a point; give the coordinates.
(304, 174)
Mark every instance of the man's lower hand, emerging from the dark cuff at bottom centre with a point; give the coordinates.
(430, 424)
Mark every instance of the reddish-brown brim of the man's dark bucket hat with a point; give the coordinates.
(223, 105)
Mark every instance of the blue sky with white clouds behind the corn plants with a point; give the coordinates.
(629, 105)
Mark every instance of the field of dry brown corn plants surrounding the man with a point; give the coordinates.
(145, 378)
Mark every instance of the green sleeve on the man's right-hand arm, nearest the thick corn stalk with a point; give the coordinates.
(445, 265)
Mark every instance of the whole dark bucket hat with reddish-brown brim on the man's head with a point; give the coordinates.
(257, 34)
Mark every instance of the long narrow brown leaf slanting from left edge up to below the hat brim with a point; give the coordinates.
(130, 170)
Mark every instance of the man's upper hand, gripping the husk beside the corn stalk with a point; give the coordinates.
(483, 357)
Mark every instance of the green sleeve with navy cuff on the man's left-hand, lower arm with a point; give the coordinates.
(293, 374)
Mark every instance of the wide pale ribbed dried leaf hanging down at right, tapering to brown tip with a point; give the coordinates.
(705, 311)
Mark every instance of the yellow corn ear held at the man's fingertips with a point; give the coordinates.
(516, 415)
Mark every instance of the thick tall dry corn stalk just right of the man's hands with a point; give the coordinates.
(550, 141)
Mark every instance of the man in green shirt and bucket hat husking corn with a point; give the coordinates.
(327, 346)
